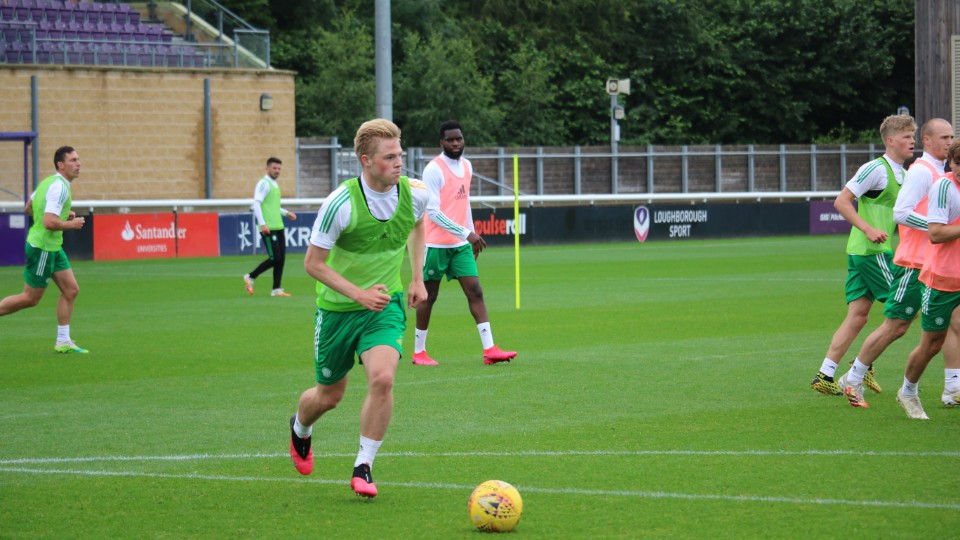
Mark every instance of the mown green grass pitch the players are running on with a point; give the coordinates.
(661, 391)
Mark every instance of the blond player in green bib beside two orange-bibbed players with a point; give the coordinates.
(870, 268)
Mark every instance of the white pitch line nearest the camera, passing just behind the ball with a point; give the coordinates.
(525, 489)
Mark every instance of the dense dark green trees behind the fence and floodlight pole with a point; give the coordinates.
(532, 72)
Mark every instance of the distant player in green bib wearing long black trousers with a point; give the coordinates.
(269, 216)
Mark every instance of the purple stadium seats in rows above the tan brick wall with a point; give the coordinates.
(88, 33)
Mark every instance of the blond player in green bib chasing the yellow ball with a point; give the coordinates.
(356, 253)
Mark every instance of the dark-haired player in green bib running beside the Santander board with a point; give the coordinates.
(49, 206)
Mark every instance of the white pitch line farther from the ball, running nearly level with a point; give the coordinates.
(529, 453)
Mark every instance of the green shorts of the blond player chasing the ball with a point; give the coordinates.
(340, 336)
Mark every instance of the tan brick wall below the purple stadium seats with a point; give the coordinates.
(140, 132)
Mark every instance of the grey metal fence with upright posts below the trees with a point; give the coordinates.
(322, 164)
